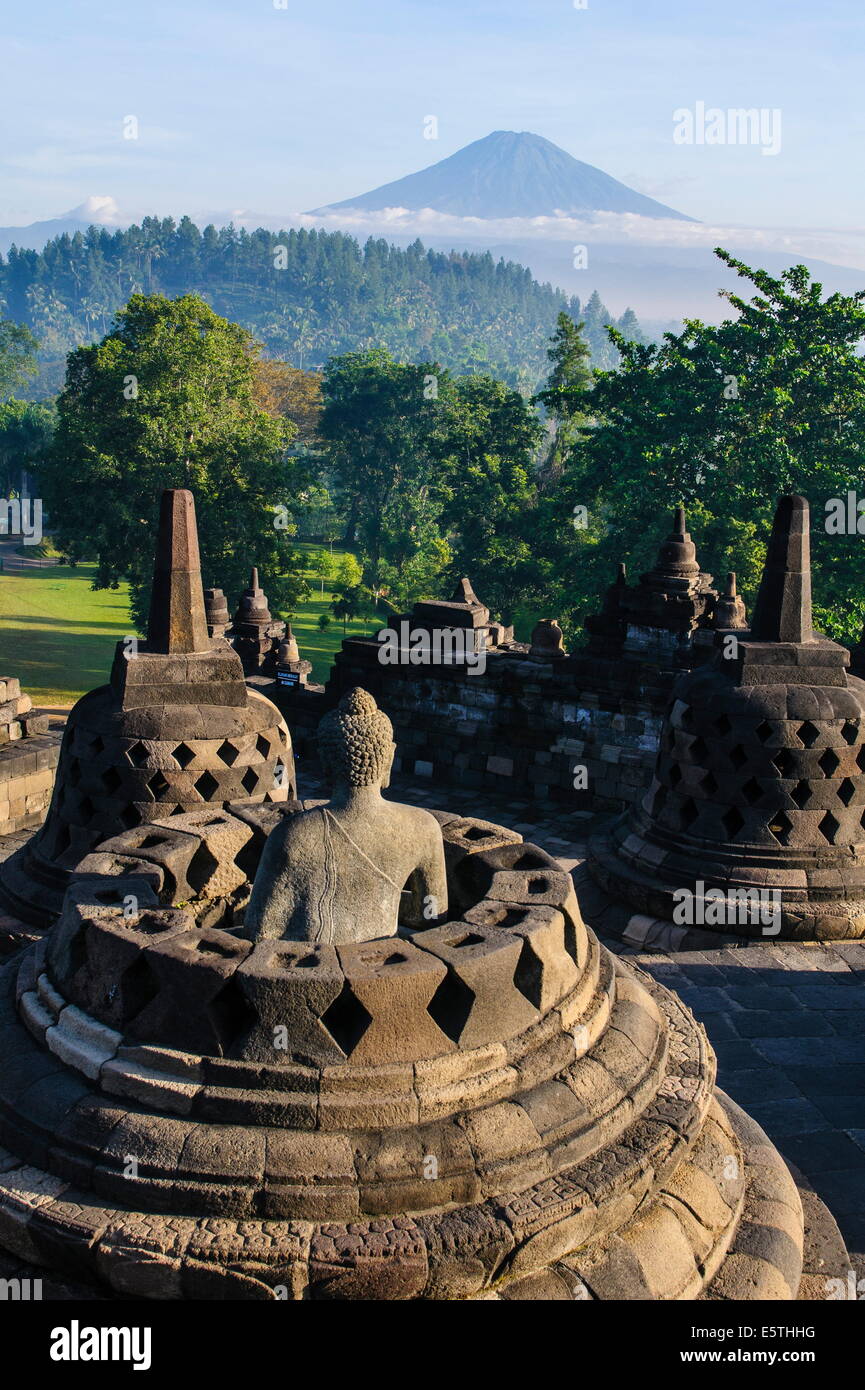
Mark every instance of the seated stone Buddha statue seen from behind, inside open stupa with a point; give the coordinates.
(359, 867)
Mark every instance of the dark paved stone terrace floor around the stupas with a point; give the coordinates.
(786, 1020)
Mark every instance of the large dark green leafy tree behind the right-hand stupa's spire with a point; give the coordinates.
(725, 419)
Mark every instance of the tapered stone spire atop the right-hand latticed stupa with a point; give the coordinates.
(782, 612)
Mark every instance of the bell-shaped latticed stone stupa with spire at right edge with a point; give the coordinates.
(760, 782)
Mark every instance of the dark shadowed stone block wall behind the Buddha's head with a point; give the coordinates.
(522, 725)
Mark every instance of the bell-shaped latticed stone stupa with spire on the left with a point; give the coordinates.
(176, 730)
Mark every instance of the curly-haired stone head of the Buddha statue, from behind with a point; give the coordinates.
(357, 743)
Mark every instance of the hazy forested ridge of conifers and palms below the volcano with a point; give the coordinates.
(305, 295)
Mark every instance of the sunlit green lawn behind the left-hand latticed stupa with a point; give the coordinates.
(58, 635)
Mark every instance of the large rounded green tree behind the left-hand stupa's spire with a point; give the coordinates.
(169, 400)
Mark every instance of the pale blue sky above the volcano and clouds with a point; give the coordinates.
(243, 105)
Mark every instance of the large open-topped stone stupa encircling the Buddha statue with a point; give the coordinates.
(492, 1107)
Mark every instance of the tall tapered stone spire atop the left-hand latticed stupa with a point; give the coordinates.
(177, 621)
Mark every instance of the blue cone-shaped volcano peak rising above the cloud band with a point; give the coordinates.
(510, 174)
